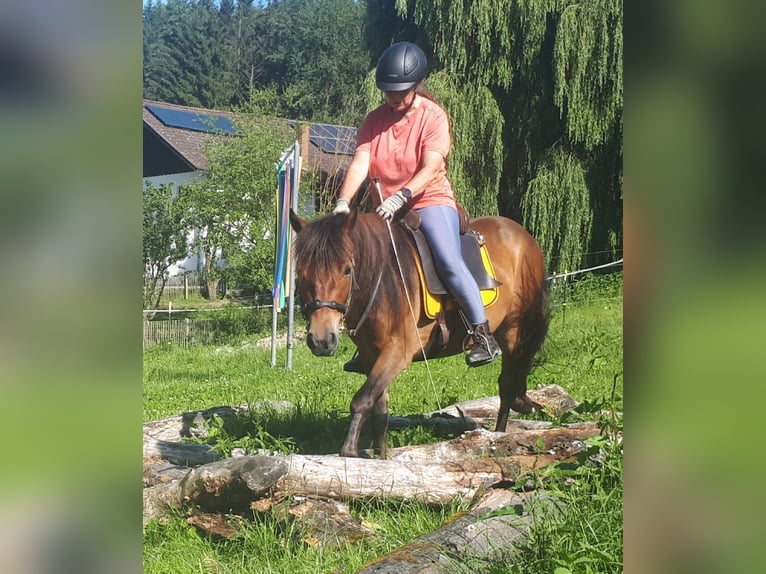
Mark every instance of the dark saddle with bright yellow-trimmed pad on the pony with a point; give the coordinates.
(437, 299)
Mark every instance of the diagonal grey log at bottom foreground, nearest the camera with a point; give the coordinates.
(489, 531)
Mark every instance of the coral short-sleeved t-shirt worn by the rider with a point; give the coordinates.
(396, 149)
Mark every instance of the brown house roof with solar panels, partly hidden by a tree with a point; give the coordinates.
(174, 136)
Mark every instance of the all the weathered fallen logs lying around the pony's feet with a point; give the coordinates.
(473, 467)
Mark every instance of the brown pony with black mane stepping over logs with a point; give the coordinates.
(347, 272)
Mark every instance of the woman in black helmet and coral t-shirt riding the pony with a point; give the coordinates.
(402, 146)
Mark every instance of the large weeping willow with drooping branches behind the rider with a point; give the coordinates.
(553, 69)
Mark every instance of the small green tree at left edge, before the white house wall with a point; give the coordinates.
(164, 239)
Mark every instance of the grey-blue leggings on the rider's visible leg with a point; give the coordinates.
(441, 228)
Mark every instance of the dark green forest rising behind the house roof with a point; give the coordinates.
(308, 52)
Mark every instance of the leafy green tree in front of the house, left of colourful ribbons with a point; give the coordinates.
(233, 208)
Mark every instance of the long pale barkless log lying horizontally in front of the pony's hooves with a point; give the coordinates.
(230, 485)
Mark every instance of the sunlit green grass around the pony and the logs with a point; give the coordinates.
(583, 354)
